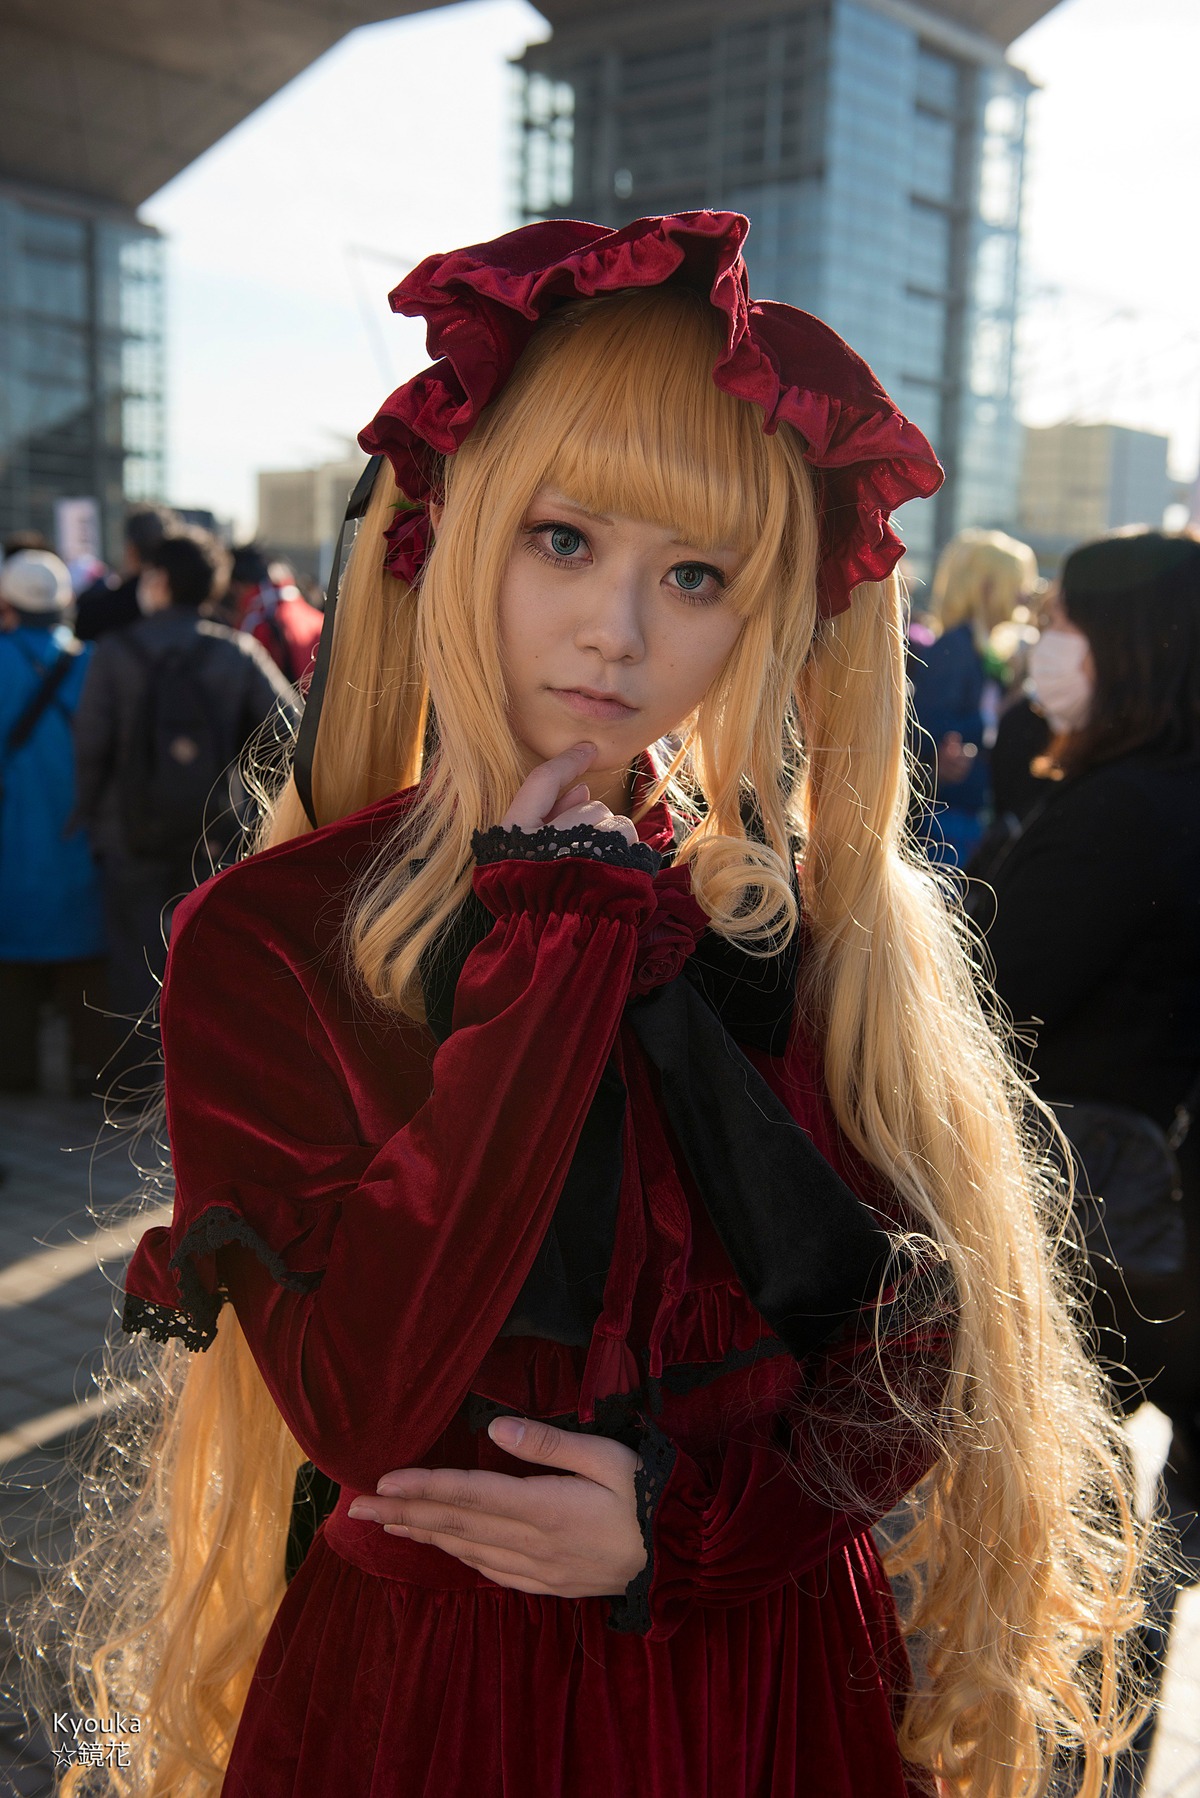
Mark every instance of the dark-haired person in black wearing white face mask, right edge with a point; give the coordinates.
(1095, 925)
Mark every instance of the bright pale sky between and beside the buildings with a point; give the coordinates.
(287, 236)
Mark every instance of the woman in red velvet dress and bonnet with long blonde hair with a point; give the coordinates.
(595, 1171)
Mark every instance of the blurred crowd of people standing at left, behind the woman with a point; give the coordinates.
(129, 700)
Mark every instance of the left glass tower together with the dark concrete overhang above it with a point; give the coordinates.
(100, 105)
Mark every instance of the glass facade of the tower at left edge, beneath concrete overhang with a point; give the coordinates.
(82, 360)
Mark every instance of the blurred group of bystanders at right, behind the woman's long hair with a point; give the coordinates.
(1057, 734)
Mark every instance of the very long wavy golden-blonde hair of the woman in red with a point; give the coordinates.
(1021, 1558)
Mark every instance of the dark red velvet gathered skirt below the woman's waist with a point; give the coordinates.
(375, 1687)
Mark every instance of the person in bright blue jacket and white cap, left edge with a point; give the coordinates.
(51, 916)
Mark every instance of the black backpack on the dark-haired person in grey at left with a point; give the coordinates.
(175, 758)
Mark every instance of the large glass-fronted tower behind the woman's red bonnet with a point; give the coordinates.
(879, 156)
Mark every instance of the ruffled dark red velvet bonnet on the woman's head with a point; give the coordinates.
(485, 303)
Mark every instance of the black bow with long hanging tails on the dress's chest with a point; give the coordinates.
(807, 1251)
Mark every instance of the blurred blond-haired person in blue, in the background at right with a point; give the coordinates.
(956, 688)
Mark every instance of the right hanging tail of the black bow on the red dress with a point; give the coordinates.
(805, 1249)
